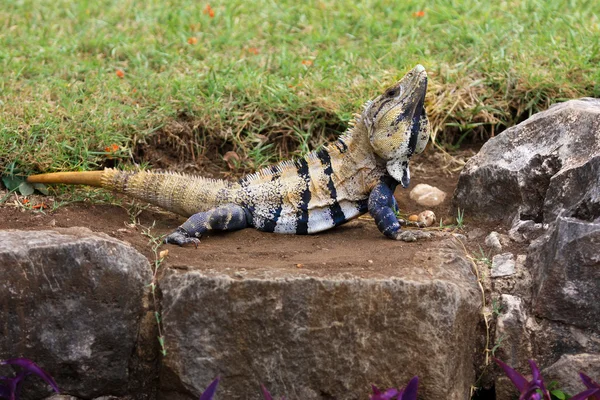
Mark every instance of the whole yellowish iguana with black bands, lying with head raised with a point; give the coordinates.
(326, 188)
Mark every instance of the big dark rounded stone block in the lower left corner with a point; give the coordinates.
(72, 301)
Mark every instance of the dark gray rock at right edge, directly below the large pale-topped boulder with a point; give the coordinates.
(565, 266)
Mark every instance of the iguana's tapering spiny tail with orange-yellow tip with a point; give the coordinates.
(181, 194)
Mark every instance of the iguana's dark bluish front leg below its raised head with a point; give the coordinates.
(383, 208)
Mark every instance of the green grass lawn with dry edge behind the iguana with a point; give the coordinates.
(245, 84)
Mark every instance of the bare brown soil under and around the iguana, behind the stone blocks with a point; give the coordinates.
(356, 248)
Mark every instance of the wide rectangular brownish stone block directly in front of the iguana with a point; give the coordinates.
(323, 336)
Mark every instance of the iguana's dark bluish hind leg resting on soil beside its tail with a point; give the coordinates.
(229, 217)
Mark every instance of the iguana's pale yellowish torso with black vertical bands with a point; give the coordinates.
(308, 195)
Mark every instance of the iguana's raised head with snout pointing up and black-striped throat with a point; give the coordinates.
(397, 123)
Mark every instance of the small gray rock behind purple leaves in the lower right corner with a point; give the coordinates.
(566, 371)
